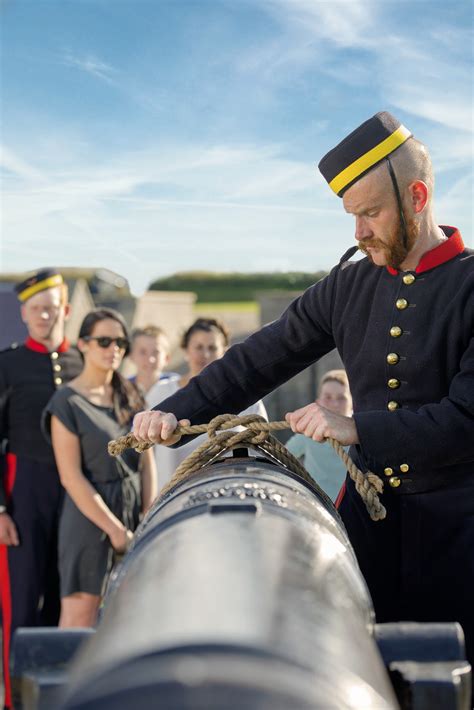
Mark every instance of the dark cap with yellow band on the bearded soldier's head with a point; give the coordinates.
(361, 150)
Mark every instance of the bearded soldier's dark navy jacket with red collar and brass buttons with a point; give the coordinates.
(406, 340)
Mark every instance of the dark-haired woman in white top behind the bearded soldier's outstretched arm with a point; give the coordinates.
(204, 341)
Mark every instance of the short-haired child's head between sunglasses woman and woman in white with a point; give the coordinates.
(150, 353)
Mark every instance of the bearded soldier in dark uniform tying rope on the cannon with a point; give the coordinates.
(402, 320)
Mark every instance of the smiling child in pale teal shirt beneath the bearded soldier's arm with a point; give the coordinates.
(320, 460)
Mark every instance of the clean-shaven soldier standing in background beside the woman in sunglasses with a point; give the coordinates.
(31, 494)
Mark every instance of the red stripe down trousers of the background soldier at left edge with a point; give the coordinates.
(5, 595)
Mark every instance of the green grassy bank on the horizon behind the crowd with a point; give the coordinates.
(214, 287)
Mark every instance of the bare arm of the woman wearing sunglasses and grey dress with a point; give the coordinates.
(91, 504)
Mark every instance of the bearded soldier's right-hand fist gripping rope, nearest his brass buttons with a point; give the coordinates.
(319, 423)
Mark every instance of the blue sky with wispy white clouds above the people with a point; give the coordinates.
(156, 136)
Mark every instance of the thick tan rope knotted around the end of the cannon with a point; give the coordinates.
(256, 433)
